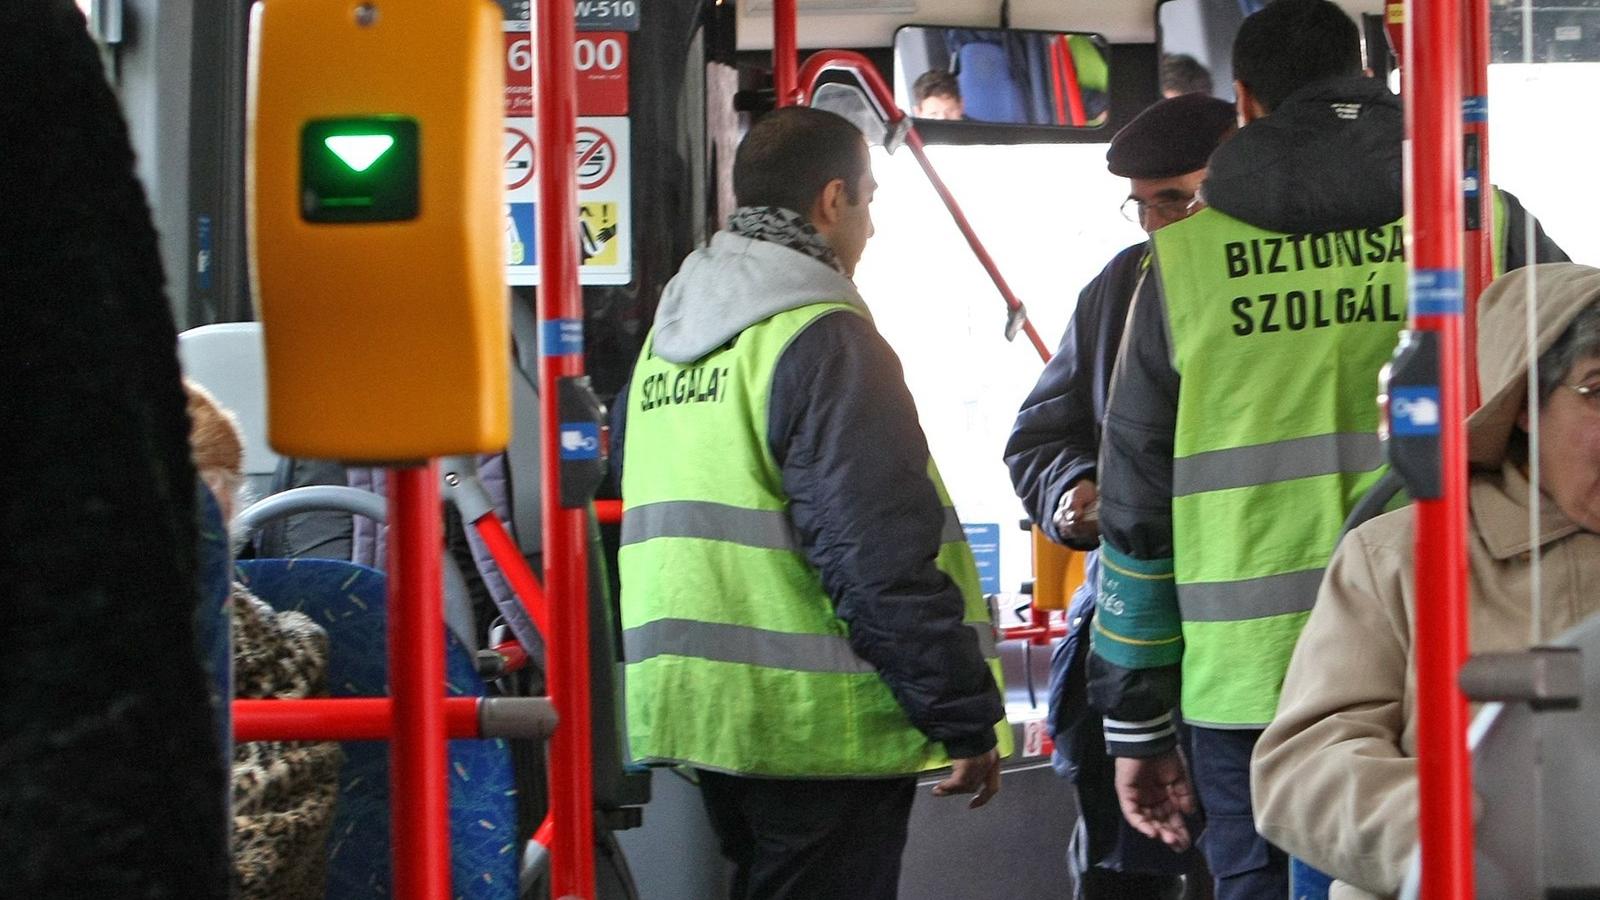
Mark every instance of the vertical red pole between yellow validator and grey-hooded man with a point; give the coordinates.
(566, 531)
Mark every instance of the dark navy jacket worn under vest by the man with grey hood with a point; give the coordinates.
(846, 433)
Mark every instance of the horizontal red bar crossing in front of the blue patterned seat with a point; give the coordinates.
(346, 718)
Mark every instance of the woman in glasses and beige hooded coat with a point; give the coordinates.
(1335, 774)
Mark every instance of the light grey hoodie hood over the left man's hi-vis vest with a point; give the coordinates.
(735, 283)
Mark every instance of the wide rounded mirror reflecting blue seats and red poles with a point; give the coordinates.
(1009, 76)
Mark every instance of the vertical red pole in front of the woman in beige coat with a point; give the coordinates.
(1436, 212)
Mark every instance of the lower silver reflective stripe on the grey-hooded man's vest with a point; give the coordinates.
(758, 646)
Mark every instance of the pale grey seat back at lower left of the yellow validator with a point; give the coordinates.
(230, 361)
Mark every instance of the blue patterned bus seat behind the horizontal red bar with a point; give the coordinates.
(350, 601)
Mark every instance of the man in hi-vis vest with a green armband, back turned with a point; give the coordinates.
(1242, 427)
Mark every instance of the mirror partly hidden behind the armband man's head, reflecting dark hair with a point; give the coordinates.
(1198, 46)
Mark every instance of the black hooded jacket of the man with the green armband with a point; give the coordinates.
(1327, 159)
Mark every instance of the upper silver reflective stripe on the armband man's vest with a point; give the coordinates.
(1278, 462)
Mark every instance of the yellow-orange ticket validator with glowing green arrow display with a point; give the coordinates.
(377, 227)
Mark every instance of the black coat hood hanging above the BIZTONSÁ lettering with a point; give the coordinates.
(1326, 159)
